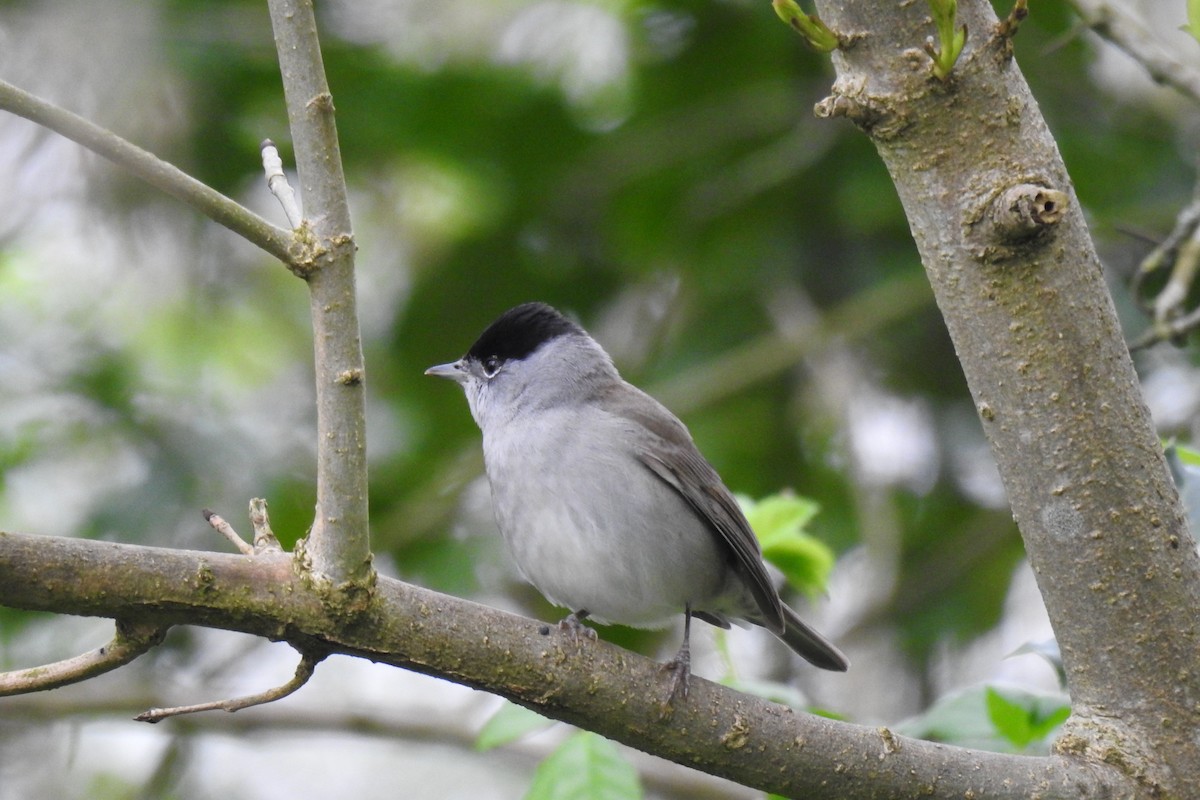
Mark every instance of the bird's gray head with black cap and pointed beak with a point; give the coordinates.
(532, 358)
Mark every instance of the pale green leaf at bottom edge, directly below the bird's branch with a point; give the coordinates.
(586, 767)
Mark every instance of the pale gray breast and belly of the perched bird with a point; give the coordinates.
(591, 527)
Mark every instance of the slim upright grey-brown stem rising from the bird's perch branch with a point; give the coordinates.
(338, 548)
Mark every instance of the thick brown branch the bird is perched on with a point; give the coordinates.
(591, 684)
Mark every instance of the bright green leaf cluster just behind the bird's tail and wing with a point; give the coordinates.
(779, 522)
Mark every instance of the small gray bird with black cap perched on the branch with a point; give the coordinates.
(605, 503)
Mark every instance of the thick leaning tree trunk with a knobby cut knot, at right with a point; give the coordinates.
(1051, 374)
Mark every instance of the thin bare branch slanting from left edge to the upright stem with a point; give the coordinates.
(152, 170)
